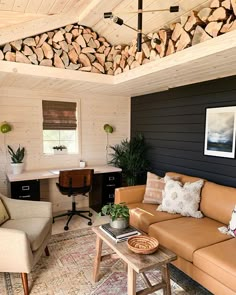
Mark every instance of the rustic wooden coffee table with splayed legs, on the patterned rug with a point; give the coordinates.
(137, 263)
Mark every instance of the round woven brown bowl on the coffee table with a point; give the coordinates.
(143, 244)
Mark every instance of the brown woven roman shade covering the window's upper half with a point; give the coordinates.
(59, 115)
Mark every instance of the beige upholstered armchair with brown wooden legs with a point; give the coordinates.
(24, 237)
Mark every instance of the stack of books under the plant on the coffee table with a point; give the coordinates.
(119, 235)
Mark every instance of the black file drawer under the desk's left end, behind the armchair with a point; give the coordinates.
(25, 190)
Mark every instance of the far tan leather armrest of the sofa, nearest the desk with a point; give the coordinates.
(130, 194)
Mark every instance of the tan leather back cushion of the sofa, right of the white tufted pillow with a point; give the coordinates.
(218, 201)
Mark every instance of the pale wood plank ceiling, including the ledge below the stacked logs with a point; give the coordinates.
(23, 18)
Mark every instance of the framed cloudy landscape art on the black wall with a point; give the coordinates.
(220, 132)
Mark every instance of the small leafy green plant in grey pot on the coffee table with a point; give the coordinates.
(119, 214)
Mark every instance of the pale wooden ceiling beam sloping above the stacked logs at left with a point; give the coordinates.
(48, 22)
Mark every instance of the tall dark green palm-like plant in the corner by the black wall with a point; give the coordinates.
(131, 157)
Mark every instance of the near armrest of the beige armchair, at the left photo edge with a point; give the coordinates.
(15, 251)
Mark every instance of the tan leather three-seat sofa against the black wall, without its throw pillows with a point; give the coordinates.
(204, 253)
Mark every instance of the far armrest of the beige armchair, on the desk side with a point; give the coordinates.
(27, 209)
